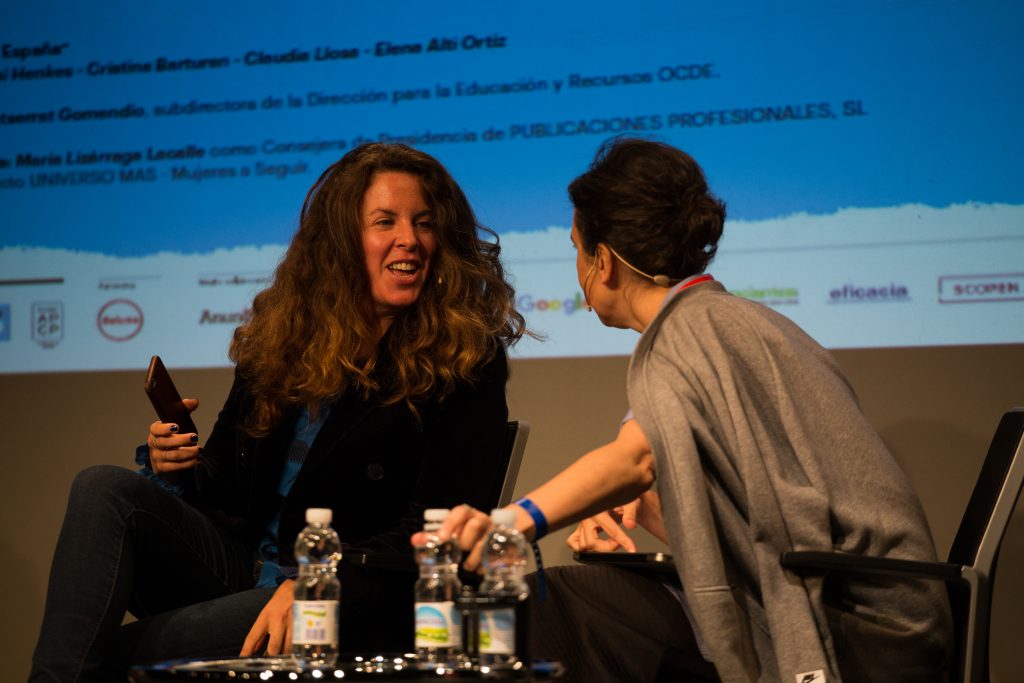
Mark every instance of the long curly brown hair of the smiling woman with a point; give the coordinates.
(315, 332)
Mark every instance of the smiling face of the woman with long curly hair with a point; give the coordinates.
(399, 242)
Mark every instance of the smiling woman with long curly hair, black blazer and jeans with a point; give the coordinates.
(369, 380)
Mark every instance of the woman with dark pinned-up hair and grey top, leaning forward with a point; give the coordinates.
(757, 446)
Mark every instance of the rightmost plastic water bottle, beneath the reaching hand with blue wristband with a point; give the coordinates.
(503, 593)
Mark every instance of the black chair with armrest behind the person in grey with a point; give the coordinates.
(970, 571)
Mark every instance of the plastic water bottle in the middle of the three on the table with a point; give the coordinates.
(439, 623)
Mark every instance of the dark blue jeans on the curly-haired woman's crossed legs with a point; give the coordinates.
(127, 545)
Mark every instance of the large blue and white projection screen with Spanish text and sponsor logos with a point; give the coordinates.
(154, 158)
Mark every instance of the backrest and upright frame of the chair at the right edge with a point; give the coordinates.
(976, 546)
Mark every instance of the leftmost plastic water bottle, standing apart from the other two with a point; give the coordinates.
(315, 614)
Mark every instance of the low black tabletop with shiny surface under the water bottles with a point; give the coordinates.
(378, 667)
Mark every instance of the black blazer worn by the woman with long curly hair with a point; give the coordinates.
(374, 465)
